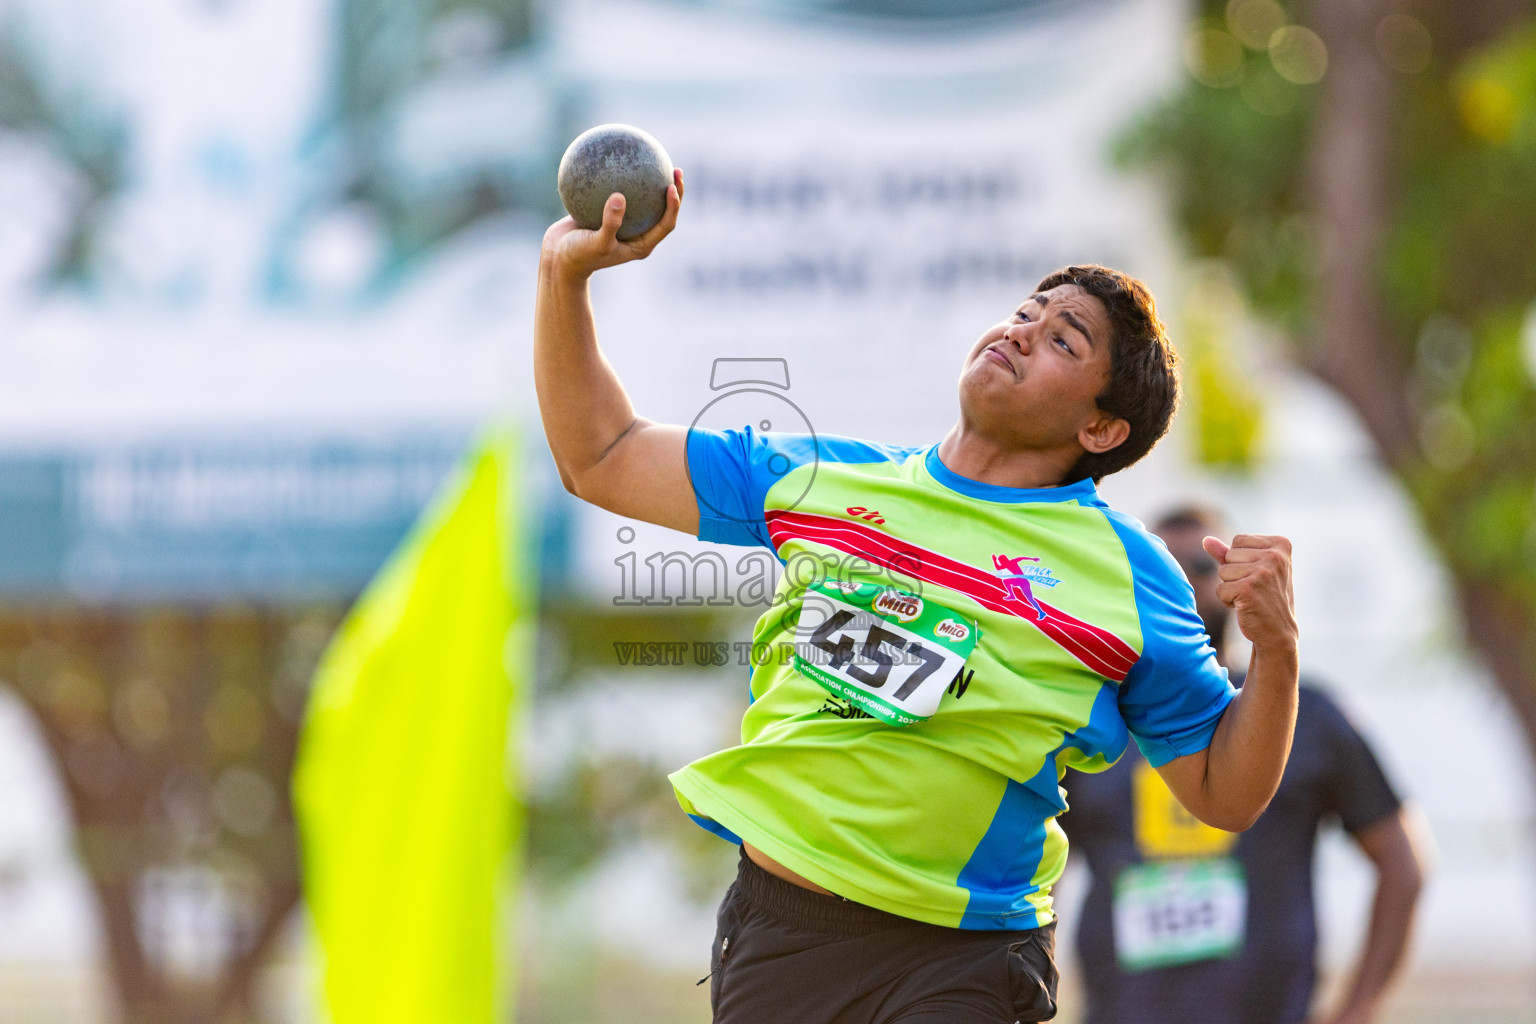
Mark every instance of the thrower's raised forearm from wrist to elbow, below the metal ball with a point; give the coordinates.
(581, 400)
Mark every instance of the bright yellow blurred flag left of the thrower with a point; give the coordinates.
(402, 785)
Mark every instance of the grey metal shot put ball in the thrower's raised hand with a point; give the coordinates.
(615, 159)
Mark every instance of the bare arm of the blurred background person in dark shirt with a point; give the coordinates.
(1400, 854)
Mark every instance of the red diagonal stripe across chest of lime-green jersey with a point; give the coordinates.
(1094, 647)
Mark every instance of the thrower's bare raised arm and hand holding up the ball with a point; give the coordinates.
(604, 452)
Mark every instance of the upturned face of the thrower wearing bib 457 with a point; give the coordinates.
(1033, 380)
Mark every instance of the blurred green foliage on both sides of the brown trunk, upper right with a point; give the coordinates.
(1458, 257)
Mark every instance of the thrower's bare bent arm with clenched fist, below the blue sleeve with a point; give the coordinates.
(1231, 782)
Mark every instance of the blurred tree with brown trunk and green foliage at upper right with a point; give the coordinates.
(1377, 203)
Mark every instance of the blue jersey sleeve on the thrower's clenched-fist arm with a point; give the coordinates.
(1176, 693)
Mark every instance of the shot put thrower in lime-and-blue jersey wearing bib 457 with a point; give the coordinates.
(896, 788)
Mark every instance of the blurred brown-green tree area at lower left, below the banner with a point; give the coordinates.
(174, 735)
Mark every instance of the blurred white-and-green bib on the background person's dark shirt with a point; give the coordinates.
(1177, 913)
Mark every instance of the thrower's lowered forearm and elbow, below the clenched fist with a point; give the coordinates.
(1253, 741)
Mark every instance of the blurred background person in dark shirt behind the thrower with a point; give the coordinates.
(1188, 925)
